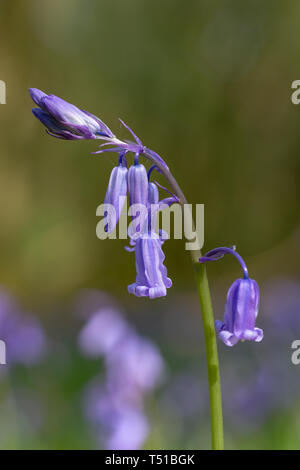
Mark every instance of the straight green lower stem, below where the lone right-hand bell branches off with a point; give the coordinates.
(212, 359)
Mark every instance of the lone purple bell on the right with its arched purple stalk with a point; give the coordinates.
(241, 307)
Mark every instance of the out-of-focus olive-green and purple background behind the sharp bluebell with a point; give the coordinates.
(207, 84)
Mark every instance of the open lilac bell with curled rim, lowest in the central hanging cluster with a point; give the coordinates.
(151, 280)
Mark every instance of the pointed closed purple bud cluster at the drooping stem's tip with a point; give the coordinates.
(66, 121)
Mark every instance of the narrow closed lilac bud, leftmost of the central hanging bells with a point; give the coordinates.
(116, 193)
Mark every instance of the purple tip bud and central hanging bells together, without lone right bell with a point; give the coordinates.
(66, 121)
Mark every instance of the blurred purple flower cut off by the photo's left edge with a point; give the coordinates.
(22, 333)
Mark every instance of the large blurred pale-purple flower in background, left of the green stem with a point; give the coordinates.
(134, 368)
